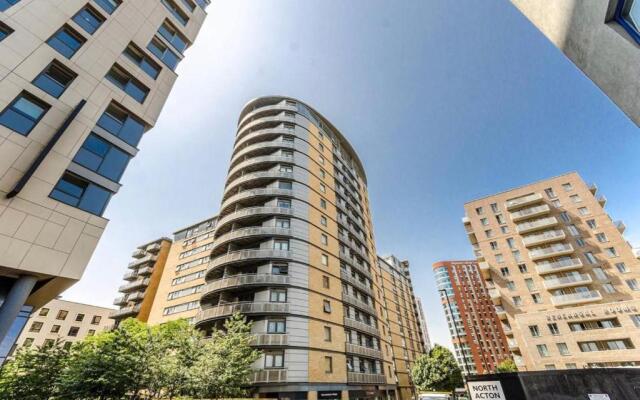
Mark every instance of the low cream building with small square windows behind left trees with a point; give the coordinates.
(66, 321)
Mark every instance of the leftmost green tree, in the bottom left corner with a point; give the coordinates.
(33, 373)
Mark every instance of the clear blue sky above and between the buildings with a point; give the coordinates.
(443, 103)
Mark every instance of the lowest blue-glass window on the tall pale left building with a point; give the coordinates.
(78, 192)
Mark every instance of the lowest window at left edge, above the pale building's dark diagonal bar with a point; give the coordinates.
(23, 113)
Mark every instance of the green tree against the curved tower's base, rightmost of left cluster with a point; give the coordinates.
(225, 369)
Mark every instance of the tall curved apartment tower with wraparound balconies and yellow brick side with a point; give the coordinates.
(294, 251)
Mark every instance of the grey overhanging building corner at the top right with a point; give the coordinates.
(602, 38)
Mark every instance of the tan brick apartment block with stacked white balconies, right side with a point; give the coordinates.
(565, 282)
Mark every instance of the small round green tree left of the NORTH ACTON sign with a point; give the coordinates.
(436, 371)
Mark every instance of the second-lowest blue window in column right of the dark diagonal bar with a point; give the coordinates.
(102, 157)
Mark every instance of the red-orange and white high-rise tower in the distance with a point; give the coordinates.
(476, 331)
